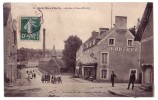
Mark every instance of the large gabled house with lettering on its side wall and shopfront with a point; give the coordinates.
(109, 50)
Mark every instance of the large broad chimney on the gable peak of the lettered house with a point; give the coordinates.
(121, 22)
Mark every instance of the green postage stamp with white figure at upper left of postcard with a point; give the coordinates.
(29, 28)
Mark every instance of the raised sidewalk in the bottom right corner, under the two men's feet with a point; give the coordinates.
(121, 90)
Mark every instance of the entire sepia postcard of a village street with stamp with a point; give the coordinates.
(88, 49)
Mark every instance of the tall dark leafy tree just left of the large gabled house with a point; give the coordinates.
(72, 44)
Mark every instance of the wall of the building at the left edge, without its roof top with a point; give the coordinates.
(10, 50)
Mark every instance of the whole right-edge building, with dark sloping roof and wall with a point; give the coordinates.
(145, 37)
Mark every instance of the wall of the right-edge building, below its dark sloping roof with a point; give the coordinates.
(147, 56)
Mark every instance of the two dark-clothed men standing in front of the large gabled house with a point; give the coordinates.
(132, 79)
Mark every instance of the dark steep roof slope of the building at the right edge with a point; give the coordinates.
(144, 21)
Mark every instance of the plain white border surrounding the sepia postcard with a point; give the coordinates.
(72, 98)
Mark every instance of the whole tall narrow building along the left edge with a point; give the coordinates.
(10, 44)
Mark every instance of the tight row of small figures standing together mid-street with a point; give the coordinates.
(47, 78)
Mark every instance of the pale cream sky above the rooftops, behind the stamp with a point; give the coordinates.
(62, 22)
